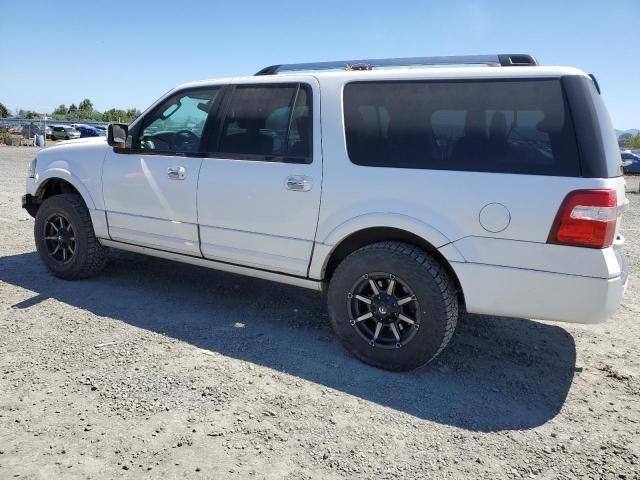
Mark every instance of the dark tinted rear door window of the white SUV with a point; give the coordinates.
(268, 121)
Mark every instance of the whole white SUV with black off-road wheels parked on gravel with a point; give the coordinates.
(404, 187)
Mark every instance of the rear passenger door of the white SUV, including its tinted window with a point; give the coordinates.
(259, 194)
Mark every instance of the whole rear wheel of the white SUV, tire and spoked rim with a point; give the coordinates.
(393, 305)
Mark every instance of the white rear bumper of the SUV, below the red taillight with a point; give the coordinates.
(515, 292)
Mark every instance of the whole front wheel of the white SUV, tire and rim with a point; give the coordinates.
(65, 238)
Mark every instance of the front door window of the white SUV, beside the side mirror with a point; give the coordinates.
(176, 125)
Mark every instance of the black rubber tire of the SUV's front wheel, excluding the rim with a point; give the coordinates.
(90, 257)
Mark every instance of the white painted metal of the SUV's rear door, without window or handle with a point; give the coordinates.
(247, 215)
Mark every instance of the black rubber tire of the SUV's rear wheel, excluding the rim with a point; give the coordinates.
(434, 291)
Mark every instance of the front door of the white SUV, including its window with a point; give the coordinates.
(150, 189)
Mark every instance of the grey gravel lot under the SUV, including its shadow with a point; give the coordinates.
(156, 369)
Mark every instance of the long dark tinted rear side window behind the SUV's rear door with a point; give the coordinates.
(498, 126)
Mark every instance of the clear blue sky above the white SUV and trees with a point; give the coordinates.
(128, 56)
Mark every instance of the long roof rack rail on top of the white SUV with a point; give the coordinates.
(498, 60)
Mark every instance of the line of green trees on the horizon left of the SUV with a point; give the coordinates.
(84, 111)
